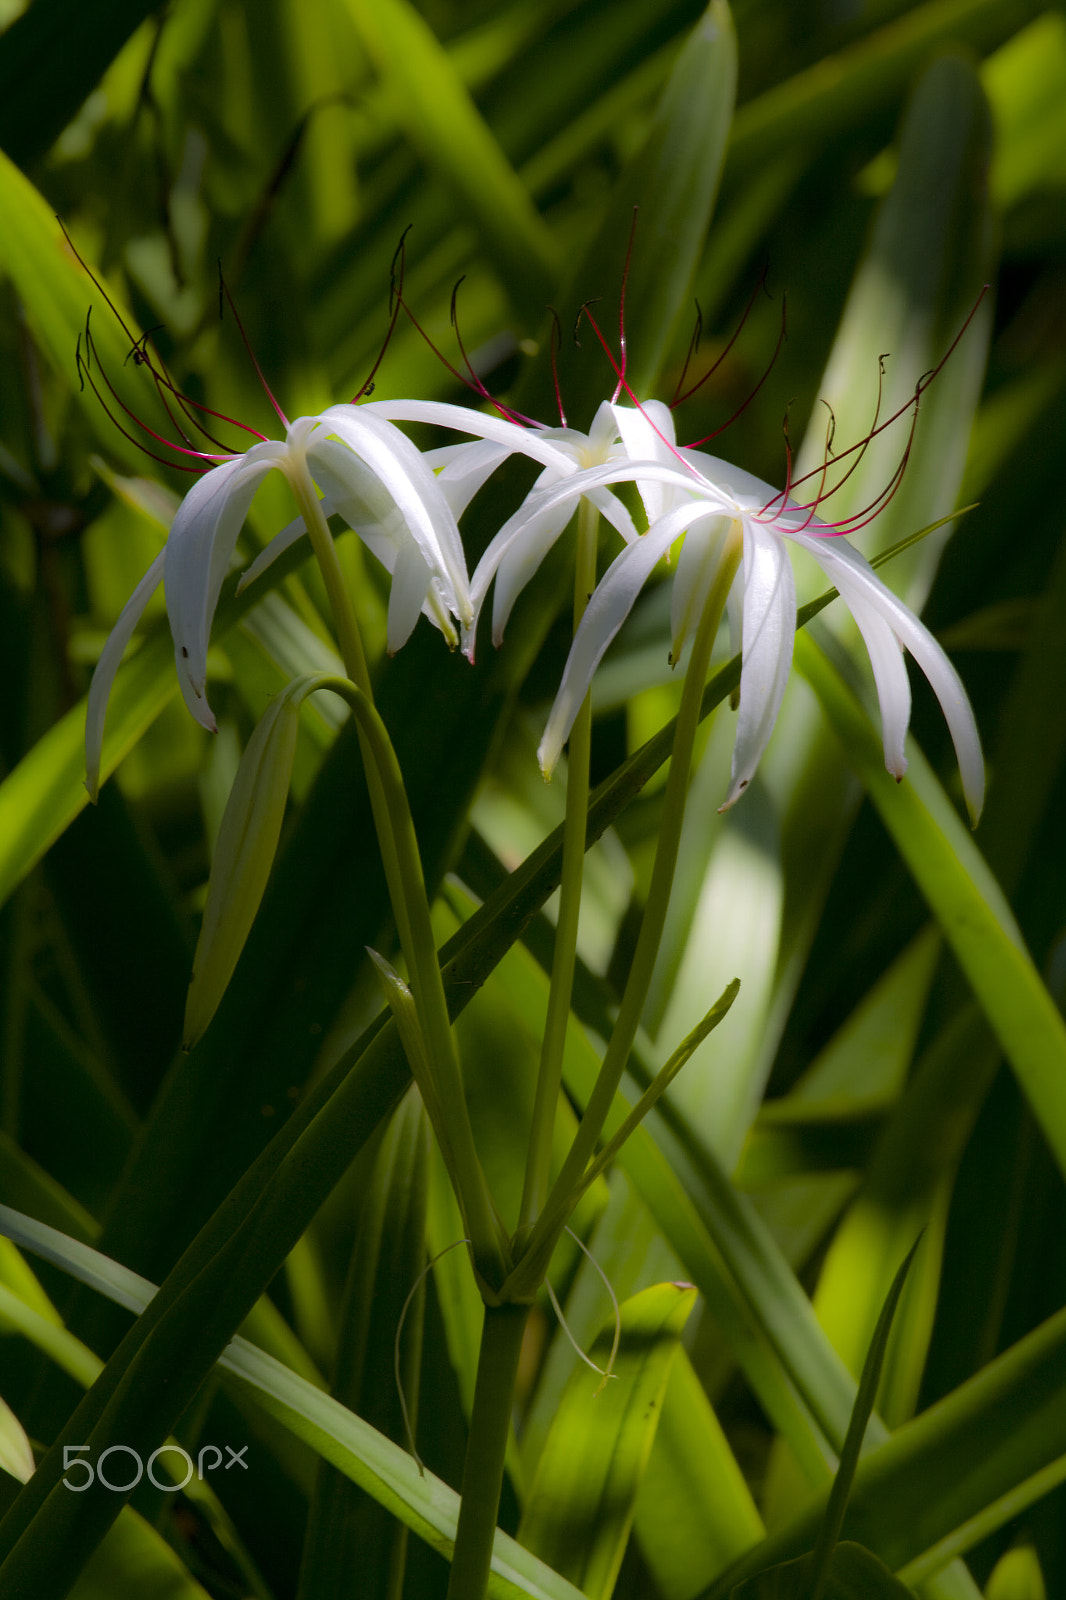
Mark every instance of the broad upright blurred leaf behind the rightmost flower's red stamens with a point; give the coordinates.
(918, 284)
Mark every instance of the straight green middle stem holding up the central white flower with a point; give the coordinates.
(575, 826)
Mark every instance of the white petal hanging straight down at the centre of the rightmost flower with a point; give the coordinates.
(769, 633)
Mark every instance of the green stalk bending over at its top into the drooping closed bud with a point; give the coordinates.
(457, 1135)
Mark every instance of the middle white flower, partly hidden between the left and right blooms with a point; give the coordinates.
(620, 434)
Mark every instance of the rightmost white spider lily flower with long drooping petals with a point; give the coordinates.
(716, 500)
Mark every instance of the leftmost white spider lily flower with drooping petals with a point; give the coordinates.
(369, 473)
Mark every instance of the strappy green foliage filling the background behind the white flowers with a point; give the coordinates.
(896, 1062)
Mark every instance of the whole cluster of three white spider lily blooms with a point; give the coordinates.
(407, 505)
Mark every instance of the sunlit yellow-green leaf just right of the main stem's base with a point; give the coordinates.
(583, 1497)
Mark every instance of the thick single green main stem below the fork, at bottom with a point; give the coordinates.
(487, 1446)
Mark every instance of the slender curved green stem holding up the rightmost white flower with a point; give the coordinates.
(534, 1265)
